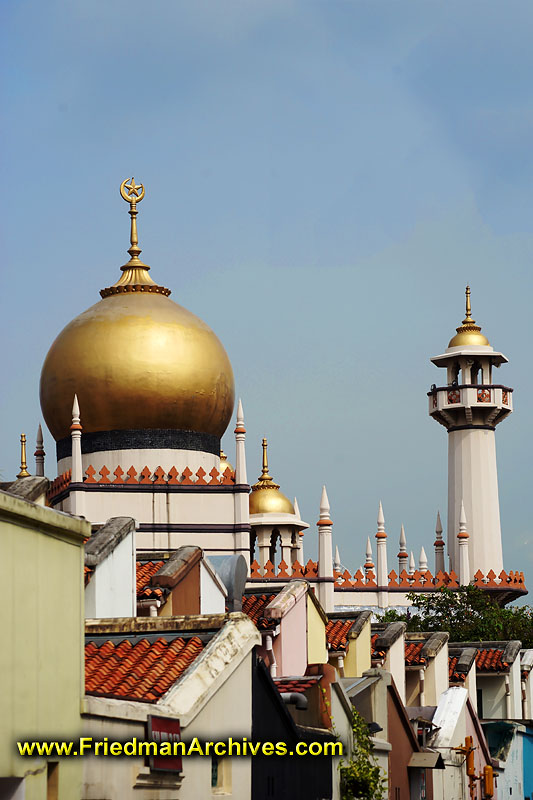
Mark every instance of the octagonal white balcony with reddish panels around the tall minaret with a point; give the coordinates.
(470, 404)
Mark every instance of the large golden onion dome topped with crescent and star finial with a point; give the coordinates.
(137, 360)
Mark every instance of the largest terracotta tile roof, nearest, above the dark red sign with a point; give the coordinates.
(143, 670)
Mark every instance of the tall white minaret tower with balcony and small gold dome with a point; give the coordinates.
(470, 405)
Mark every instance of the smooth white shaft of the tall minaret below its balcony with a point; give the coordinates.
(473, 479)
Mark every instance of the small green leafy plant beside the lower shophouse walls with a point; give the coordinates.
(361, 777)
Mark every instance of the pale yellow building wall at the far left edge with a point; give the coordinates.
(42, 622)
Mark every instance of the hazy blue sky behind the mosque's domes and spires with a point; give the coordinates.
(322, 180)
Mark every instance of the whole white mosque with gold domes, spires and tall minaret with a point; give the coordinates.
(137, 393)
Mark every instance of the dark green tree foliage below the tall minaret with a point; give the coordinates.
(469, 614)
